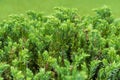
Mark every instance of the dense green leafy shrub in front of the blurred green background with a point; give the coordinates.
(61, 46)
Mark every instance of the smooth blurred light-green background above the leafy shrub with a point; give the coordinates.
(85, 7)
